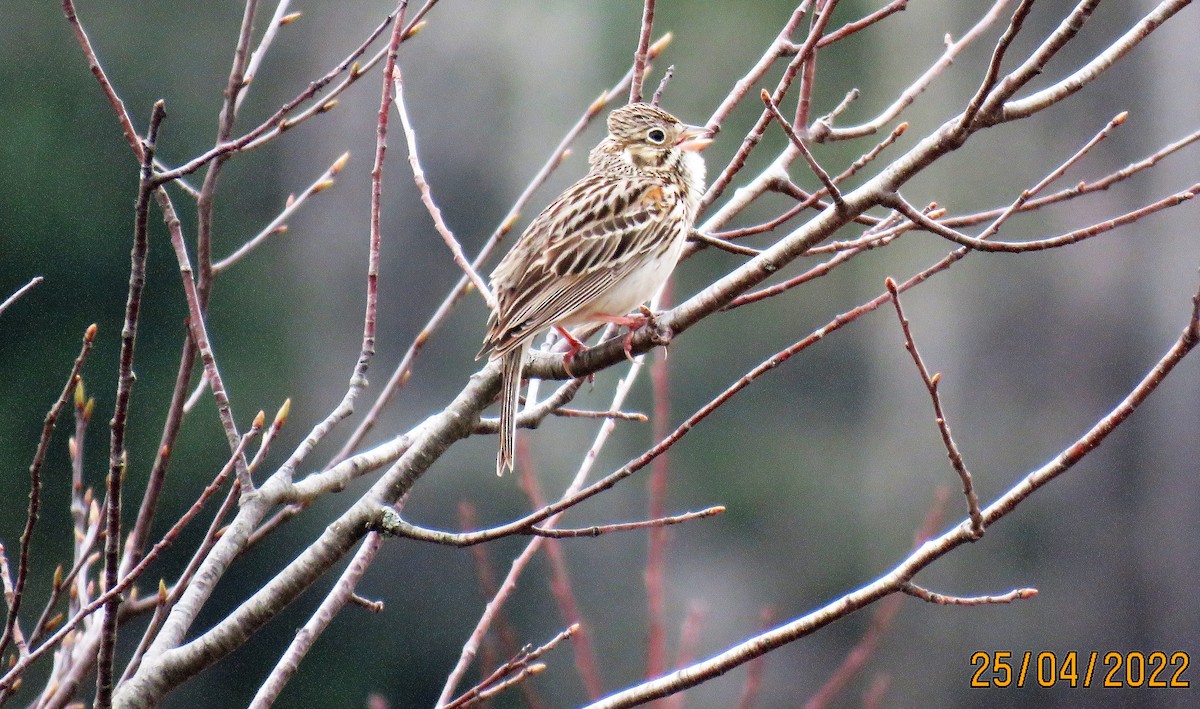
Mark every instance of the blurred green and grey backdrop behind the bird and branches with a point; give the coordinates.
(827, 466)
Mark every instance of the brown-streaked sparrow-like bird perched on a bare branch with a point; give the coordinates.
(601, 250)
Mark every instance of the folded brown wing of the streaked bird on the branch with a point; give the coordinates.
(584, 243)
